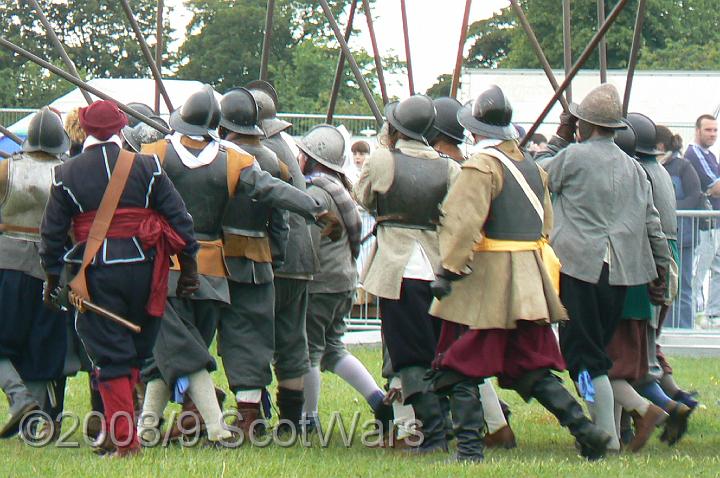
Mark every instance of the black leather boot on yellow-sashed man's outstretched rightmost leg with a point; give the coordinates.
(557, 400)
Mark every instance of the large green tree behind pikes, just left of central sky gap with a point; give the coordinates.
(304, 52)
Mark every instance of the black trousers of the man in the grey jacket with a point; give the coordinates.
(595, 310)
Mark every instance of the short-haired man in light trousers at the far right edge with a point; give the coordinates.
(707, 255)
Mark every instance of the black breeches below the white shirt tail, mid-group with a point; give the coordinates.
(410, 332)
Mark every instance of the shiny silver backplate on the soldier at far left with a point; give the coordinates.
(29, 176)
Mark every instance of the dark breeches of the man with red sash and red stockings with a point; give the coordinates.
(124, 290)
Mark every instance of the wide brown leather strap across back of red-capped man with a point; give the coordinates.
(103, 218)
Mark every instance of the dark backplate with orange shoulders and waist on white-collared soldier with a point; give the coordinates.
(206, 191)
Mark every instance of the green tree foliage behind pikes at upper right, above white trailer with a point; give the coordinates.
(677, 35)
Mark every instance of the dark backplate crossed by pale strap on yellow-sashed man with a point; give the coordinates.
(511, 216)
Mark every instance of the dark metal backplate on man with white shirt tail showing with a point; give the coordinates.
(418, 187)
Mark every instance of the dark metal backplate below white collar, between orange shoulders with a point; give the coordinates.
(204, 190)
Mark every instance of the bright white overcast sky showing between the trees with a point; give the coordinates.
(433, 29)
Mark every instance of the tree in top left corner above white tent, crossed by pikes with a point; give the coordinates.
(96, 35)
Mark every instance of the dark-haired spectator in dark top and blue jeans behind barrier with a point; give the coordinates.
(689, 196)
